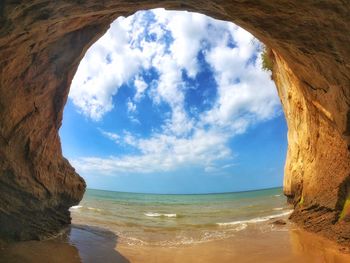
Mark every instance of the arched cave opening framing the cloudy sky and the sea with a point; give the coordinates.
(166, 109)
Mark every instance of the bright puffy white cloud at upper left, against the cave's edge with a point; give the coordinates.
(109, 63)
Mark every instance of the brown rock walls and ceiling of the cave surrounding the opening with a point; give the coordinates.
(42, 42)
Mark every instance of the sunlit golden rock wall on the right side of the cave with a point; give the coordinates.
(316, 178)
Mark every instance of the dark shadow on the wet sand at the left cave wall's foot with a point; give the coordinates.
(79, 244)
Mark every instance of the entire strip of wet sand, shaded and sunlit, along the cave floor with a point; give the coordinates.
(86, 244)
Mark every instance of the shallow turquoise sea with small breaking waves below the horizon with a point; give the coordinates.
(155, 219)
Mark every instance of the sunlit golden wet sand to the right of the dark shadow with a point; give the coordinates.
(283, 245)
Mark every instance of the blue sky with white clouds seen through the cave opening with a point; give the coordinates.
(174, 102)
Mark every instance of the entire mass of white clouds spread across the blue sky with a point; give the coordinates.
(245, 94)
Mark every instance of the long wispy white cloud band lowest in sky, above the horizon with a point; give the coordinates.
(160, 153)
